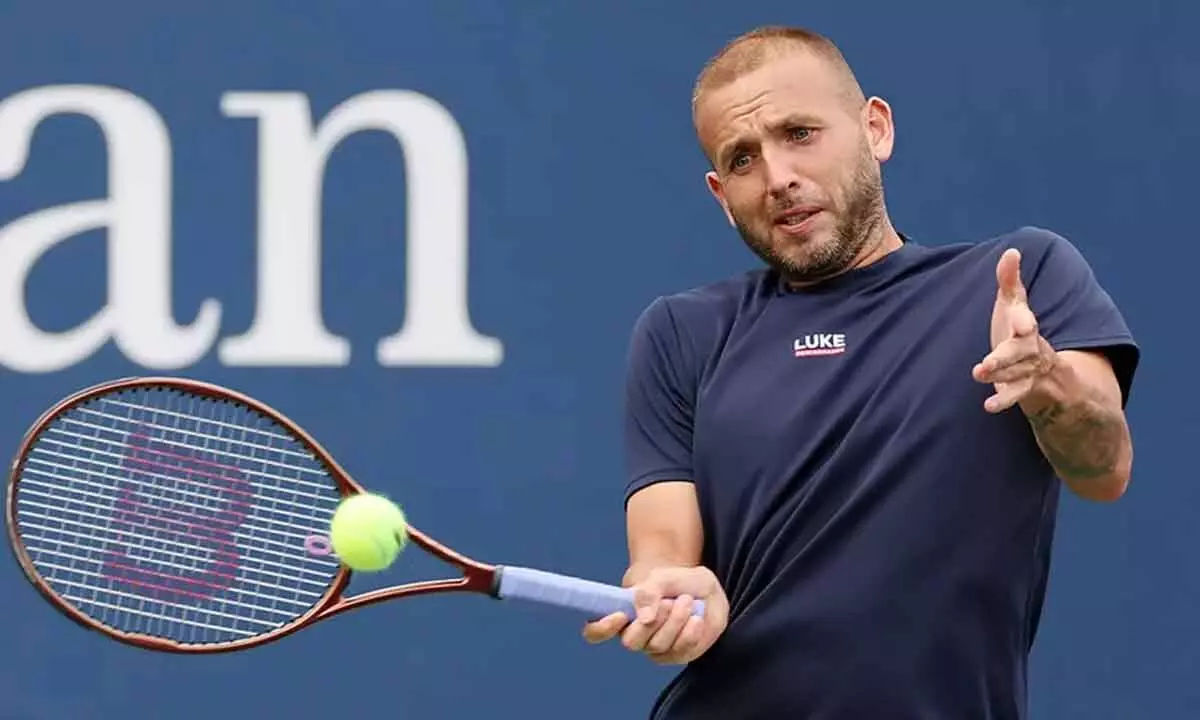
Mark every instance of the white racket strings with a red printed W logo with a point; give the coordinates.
(167, 514)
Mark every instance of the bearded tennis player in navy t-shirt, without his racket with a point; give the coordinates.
(854, 457)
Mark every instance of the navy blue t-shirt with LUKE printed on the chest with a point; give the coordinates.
(883, 539)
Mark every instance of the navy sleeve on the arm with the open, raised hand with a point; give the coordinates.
(1076, 313)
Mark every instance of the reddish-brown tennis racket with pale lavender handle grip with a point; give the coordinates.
(183, 517)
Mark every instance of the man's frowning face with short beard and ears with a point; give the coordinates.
(797, 167)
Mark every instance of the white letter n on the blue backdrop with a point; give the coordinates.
(289, 327)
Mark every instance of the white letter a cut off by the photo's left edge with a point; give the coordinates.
(137, 213)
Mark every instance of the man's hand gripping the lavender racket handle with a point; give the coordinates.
(665, 629)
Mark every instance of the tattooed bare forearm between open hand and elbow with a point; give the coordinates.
(1082, 429)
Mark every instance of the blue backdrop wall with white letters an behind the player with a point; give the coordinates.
(196, 142)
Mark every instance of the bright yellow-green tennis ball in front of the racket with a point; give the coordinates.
(368, 532)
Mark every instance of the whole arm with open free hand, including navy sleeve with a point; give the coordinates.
(1065, 356)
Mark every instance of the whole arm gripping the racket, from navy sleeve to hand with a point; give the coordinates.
(664, 529)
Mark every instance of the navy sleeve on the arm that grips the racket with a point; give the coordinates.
(659, 403)
